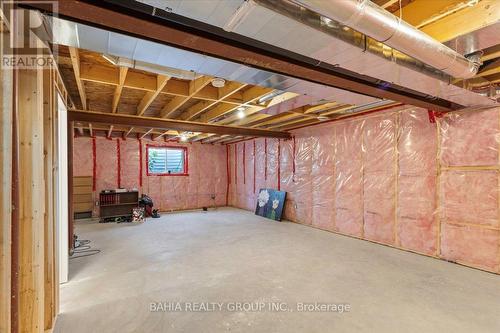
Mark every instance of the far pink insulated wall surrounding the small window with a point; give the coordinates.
(122, 163)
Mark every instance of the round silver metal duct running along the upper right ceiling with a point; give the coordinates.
(374, 21)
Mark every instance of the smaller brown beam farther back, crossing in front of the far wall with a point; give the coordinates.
(170, 124)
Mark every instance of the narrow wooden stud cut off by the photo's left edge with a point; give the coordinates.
(6, 99)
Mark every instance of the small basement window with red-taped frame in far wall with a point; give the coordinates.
(166, 161)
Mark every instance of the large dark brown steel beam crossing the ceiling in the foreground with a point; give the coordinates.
(198, 40)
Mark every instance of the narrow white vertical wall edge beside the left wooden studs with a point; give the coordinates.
(62, 191)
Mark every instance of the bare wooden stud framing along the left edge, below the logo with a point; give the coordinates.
(29, 285)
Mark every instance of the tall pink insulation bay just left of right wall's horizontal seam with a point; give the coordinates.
(417, 149)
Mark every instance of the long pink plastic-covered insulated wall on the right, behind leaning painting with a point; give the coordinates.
(396, 178)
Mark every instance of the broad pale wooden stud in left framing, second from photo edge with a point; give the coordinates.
(31, 204)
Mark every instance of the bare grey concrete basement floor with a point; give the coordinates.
(230, 256)
